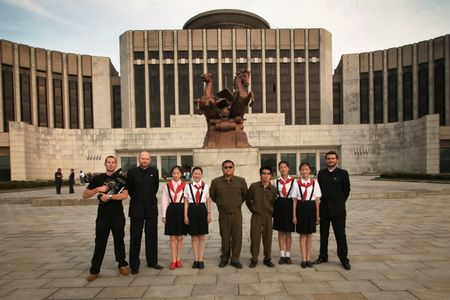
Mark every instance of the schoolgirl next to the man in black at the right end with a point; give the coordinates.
(306, 212)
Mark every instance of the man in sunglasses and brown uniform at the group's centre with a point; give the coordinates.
(228, 192)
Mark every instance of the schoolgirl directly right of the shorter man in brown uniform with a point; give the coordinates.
(282, 211)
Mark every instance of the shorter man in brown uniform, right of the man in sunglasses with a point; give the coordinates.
(260, 198)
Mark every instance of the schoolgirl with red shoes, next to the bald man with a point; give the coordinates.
(173, 215)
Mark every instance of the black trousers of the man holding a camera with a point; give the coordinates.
(103, 225)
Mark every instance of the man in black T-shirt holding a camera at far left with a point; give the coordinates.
(111, 189)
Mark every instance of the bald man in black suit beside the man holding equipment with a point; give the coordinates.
(143, 184)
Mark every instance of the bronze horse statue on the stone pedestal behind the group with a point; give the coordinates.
(225, 111)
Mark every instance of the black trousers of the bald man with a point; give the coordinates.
(137, 225)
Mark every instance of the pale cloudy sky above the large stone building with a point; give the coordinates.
(93, 27)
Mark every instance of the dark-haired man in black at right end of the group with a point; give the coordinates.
(335, 186)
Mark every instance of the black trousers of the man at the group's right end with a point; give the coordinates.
(338, 224)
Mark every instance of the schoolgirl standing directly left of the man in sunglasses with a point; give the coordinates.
(197, 214)
